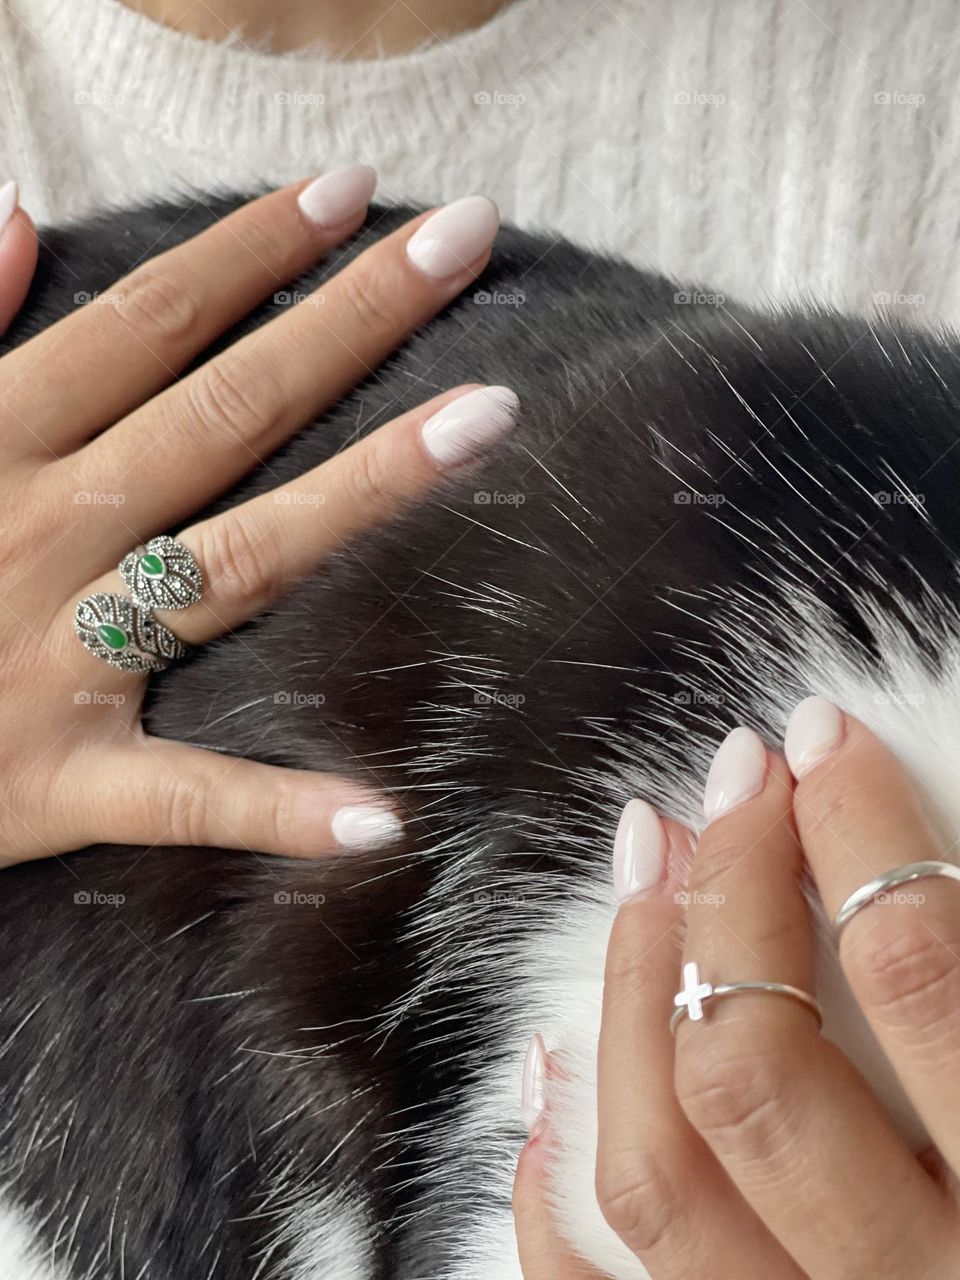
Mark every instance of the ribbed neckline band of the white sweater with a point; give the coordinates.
(204, 94)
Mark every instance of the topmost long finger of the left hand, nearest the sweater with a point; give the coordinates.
(103, 362)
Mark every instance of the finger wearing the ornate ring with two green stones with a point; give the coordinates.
(252, 554)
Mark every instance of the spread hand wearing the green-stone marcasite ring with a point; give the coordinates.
(103, 446)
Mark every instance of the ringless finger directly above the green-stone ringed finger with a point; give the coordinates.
(226, 418)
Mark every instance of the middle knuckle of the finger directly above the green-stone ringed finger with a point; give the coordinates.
(235, 400)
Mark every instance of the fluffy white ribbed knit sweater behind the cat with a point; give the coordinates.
(761, 149)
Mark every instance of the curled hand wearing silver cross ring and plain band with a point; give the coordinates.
(749, 1146)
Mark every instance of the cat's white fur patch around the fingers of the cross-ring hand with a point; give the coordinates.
(557, 982)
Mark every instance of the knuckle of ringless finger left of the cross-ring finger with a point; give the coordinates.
(637, 1197)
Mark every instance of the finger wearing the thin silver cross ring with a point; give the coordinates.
(784, 1112)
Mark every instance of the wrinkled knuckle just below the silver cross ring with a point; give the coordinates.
(730, 1094)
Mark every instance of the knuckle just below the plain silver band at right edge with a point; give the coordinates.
(908, 973)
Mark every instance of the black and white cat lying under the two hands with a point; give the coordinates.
(216, 1067)
